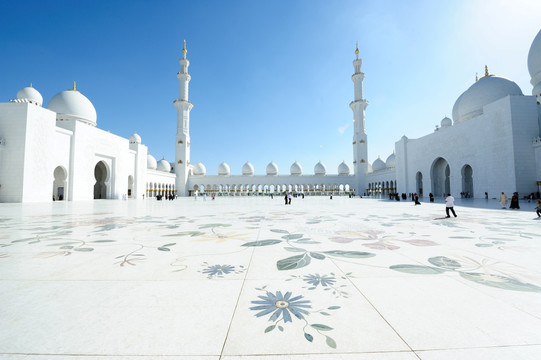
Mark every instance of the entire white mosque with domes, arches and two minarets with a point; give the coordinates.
(492, 144)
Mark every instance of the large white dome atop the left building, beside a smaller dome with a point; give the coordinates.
(71, 104)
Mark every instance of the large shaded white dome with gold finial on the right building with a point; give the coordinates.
(484, 91)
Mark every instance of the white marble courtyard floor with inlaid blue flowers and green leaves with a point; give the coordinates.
(251, 278)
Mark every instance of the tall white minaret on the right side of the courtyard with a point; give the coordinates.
(358, 105)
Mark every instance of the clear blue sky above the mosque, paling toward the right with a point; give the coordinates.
(271, 80)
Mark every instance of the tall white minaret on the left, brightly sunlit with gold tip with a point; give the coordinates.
(182, 140)
